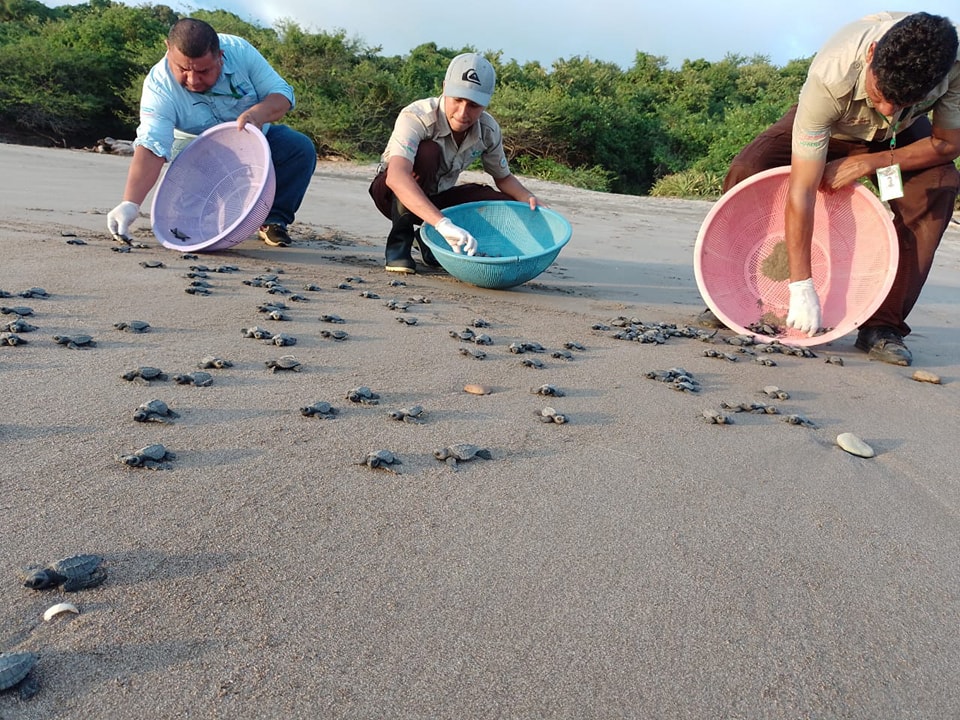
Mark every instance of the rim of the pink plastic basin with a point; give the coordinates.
(855, 188)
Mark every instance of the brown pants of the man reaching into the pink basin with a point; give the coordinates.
(920, 217)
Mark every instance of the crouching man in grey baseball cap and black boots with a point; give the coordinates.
(433, 141)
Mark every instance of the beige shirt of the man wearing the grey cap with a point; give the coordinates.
(425, 120)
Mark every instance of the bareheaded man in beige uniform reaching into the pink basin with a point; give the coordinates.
(863, 111)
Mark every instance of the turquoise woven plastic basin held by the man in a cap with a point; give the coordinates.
(514, 243)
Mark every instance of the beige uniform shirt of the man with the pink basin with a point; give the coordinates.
(834, 102)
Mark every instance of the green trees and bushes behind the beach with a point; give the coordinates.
(72, 74)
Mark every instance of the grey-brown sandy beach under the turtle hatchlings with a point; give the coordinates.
(634, 562)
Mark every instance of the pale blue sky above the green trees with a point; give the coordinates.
(608, 30)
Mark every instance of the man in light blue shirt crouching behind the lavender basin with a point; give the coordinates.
(206, 79)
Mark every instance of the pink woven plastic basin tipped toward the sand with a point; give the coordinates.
(740, 258)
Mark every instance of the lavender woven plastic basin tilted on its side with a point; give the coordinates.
(217, 191)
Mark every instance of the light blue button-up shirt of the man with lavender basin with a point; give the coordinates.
(165, 105)
